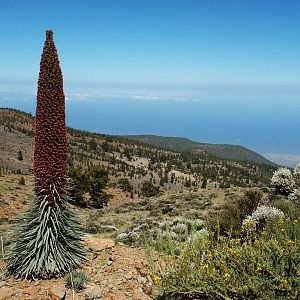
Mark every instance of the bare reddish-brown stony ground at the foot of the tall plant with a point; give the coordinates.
(114, 272)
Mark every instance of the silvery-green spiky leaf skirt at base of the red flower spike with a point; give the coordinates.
(47, 241)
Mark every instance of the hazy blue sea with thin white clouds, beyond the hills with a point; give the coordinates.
(269, 126)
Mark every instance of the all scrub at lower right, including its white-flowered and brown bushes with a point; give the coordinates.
(257, 259)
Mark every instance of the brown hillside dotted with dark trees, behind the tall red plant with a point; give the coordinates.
(137, 162)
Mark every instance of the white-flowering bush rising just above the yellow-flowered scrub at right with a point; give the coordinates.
(255, 221)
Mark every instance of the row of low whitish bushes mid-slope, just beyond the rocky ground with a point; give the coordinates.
(149, 231)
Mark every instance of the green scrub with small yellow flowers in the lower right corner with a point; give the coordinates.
(260, 264)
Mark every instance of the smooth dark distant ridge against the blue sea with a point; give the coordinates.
(225, 151)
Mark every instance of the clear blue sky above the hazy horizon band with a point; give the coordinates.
(177, 42)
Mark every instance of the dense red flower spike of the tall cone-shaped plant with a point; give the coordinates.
(50, 148)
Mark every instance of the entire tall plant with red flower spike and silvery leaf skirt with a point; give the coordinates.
(48, 236)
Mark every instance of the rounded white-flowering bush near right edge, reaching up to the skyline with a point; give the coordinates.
(283, 181)
